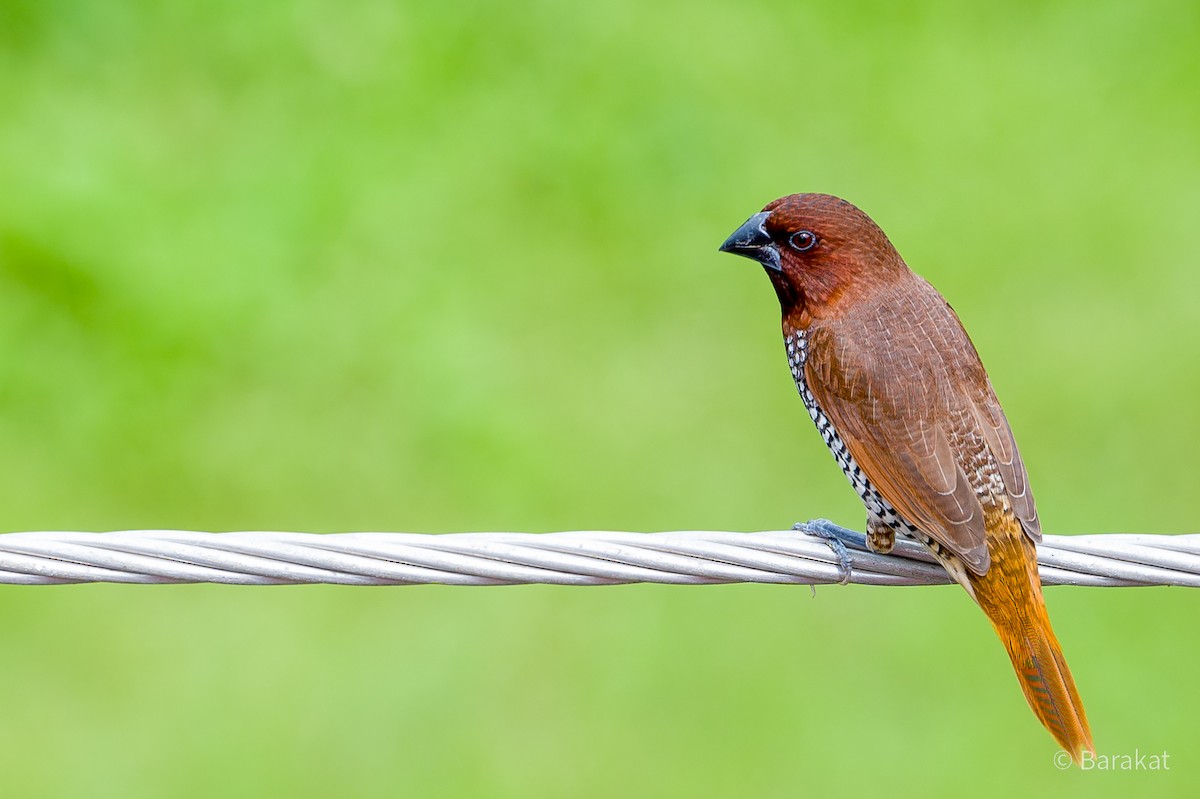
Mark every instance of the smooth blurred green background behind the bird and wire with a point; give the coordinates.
(453, 267)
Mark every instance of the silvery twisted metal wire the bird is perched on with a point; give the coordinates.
(577, 558)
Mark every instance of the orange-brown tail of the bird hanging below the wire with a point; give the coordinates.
(1011, 596)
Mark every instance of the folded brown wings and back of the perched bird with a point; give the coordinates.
(907, 397)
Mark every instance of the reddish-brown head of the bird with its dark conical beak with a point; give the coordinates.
(819, 251)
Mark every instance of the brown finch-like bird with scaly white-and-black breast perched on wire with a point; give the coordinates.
(901, 397)
